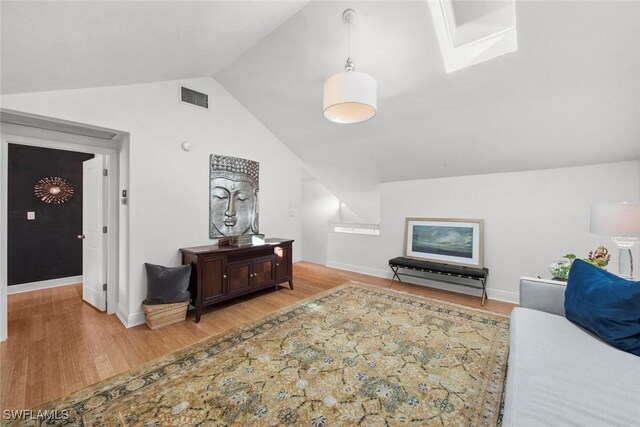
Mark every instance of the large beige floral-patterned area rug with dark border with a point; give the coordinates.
(356, 354)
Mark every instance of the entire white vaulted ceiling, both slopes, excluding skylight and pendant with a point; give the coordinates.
(570, 94)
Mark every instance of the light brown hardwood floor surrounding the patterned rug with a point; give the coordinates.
(58, 344)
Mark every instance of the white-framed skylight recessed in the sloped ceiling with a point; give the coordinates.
(473, 31)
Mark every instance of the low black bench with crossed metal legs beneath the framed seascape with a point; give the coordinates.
(458, 275)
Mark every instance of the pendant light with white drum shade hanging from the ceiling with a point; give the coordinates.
(350, 96)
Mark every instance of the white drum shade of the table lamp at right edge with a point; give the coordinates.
(615, 219)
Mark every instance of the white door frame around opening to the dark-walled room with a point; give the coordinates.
(12, 134)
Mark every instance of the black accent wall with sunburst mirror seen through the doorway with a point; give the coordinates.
(47, 247)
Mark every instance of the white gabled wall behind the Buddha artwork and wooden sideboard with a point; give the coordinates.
(169, 187)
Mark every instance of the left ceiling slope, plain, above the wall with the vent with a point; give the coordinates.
(66, 45)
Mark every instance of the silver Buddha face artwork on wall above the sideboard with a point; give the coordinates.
(233, 199)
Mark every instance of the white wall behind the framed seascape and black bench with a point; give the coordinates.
(531, 218)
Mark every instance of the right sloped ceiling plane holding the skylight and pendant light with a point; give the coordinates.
(569, 96)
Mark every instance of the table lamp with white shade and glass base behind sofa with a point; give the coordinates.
(622, 222)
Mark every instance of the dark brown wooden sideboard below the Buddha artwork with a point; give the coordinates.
(221, 273)
